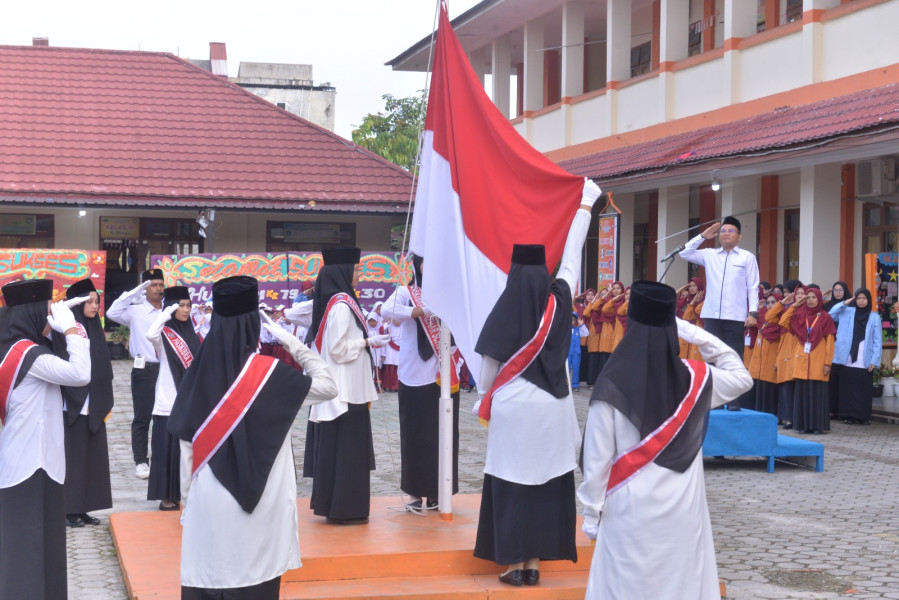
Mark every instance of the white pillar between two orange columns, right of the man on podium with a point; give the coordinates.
(819, 232)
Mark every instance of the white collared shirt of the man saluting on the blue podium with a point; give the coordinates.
(731, 280)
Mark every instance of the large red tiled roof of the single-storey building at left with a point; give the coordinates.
(145, 128)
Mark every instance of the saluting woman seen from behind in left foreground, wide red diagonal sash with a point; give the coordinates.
(233, 415)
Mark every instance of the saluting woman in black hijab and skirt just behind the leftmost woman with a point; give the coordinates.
(87, 486)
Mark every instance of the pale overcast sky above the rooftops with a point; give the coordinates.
(346, 41)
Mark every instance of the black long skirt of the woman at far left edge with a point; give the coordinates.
(33, 539)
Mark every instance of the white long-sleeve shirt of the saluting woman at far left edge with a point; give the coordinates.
(32, 437)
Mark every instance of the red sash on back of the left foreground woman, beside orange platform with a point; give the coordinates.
(231, 409)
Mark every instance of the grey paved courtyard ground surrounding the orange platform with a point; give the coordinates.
(791, 534)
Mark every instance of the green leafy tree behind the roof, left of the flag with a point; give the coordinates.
(393, 134)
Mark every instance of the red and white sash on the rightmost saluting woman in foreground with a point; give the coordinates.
(630, 462)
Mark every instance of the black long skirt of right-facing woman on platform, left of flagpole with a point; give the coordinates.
(339, 457)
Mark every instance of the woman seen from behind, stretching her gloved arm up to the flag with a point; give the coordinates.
(528, 508)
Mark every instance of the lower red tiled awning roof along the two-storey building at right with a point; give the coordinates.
(787, 128)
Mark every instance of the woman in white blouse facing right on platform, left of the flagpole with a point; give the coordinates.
(339, 447)
